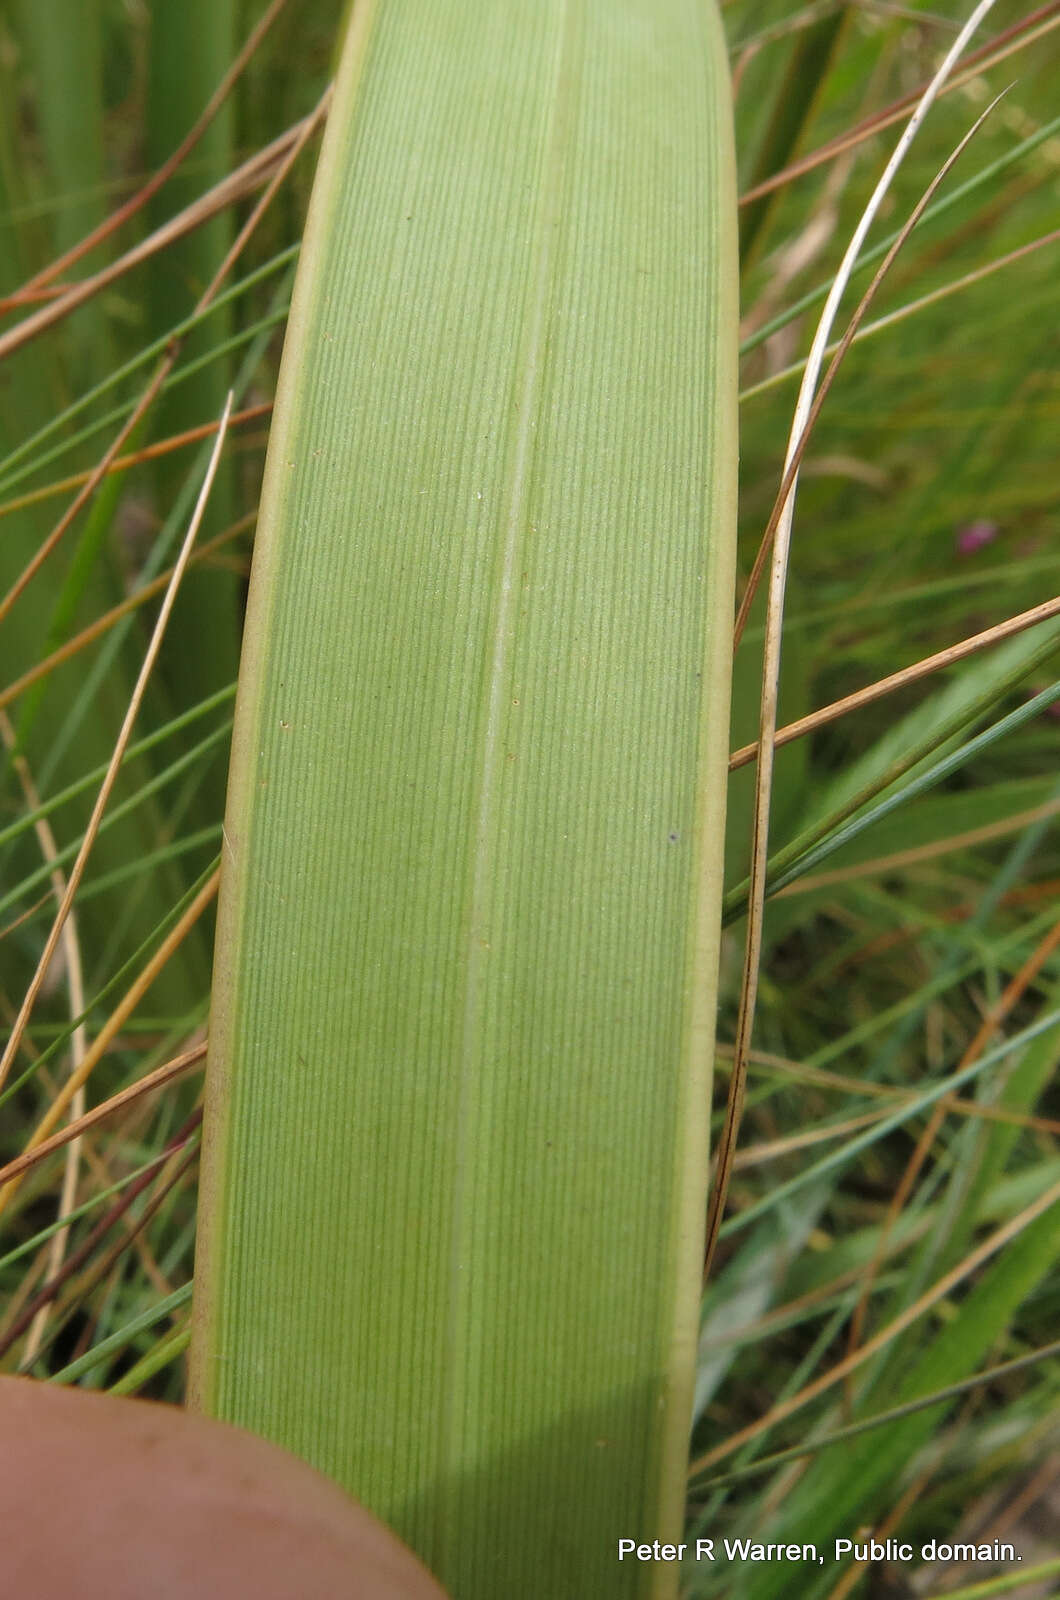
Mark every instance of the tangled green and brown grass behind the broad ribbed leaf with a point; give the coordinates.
(870, 1191)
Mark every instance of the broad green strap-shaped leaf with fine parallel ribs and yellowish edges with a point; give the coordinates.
(465, 985)
